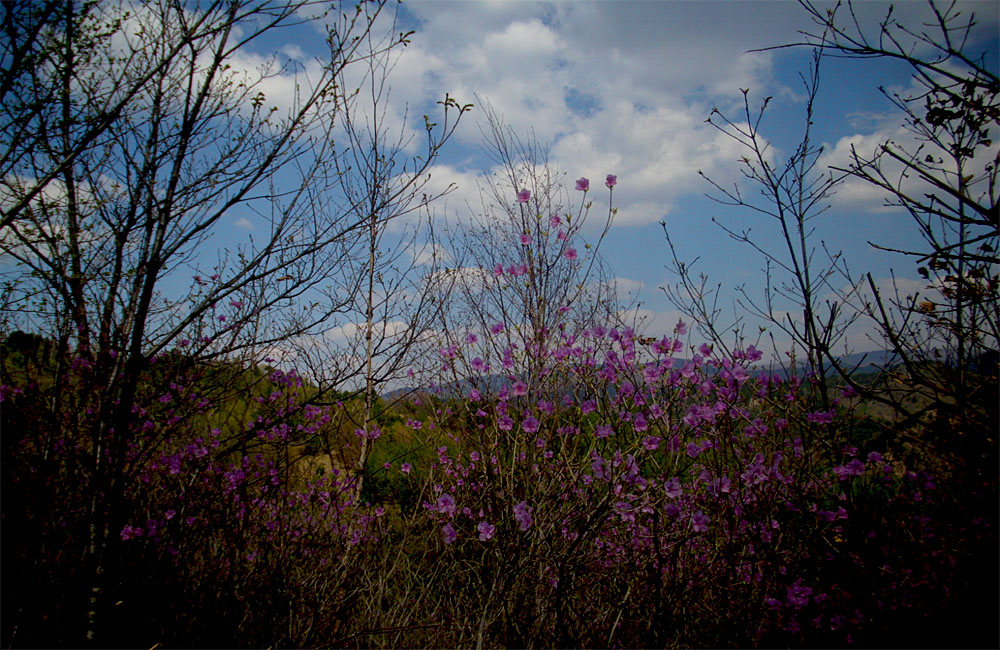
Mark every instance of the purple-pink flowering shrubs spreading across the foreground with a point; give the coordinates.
(602, 490)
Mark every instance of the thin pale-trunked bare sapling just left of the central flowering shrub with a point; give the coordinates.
(395, 292)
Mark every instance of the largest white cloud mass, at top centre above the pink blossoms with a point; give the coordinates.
(600, 83)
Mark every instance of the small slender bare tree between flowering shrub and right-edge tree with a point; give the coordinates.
(792, 194)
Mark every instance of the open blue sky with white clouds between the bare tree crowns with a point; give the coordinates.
(625, 88)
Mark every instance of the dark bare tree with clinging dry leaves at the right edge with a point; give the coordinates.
(945, 179)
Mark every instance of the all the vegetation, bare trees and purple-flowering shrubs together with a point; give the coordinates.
(559, 480)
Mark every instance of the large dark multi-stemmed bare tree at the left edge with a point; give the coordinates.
(138, 136)
